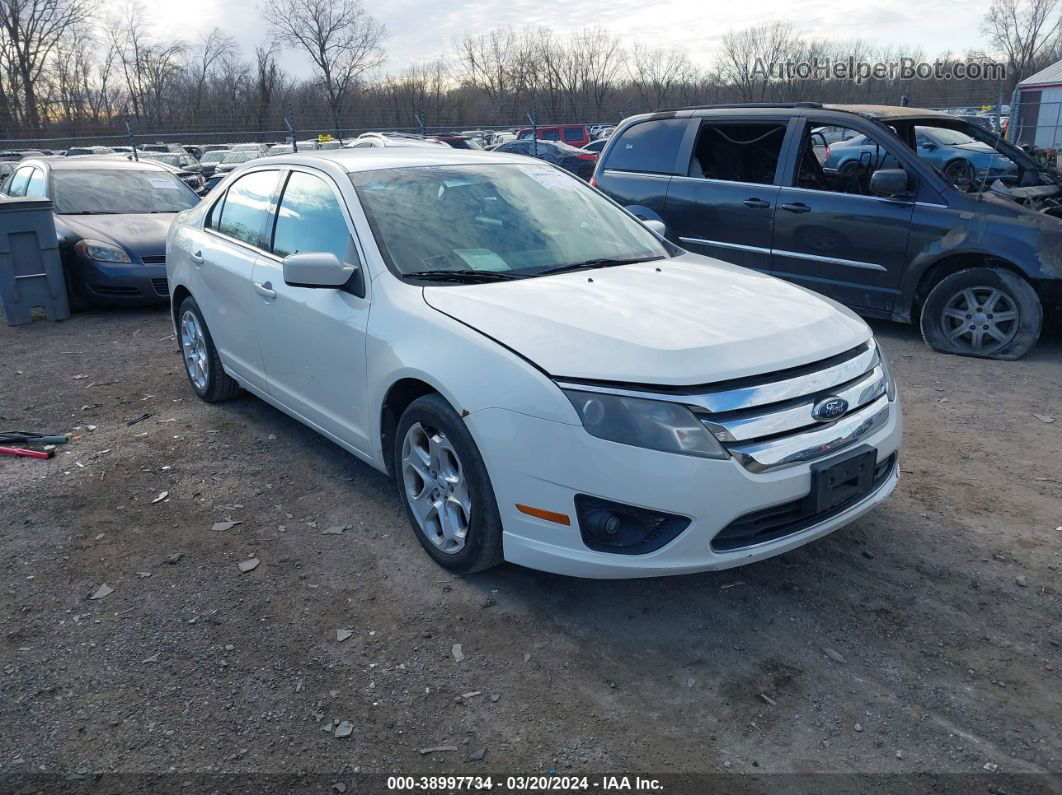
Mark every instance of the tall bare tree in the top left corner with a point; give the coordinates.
(33, 30)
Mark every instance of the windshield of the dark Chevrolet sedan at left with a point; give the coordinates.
(107, 192)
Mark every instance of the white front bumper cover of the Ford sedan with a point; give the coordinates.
(545, 464)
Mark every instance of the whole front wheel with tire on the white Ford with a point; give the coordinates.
(466, 535)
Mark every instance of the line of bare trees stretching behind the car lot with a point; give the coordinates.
(77, 67)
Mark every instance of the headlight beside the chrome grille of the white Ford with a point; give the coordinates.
(656, 425)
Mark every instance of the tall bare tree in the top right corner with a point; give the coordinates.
(1021, 30)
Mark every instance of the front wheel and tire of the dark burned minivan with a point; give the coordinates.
(948, 315)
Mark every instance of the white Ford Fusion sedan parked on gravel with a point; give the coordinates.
(547, 381)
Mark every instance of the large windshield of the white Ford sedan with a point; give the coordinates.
(505, 220)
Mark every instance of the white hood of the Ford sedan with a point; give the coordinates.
(681, 322)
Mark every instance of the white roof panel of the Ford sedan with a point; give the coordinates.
(395, 158)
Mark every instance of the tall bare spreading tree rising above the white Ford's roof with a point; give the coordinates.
(342, 40)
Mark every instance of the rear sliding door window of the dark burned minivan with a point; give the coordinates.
(741, 152)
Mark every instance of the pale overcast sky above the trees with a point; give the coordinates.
(423, 29)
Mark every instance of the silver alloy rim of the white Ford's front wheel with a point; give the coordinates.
(436, 488)
